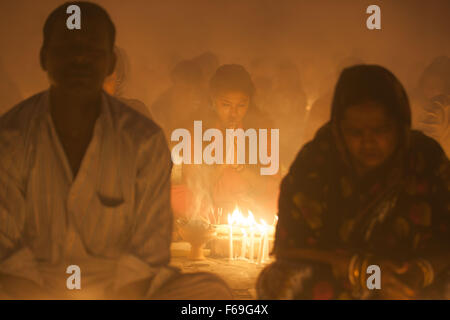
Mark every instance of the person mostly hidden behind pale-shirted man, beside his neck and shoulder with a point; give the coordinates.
(115, 83)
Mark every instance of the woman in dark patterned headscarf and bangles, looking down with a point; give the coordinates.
(367, 190)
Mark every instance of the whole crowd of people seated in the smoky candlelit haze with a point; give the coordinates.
(86, 176)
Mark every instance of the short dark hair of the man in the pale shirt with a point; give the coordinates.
(87, 8)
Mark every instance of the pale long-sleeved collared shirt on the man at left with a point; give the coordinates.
(113, 219)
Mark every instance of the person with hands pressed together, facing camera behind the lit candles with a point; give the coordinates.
(227, 185)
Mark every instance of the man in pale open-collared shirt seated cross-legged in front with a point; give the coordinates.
(85, 180)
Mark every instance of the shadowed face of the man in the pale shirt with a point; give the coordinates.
(78, 61)
